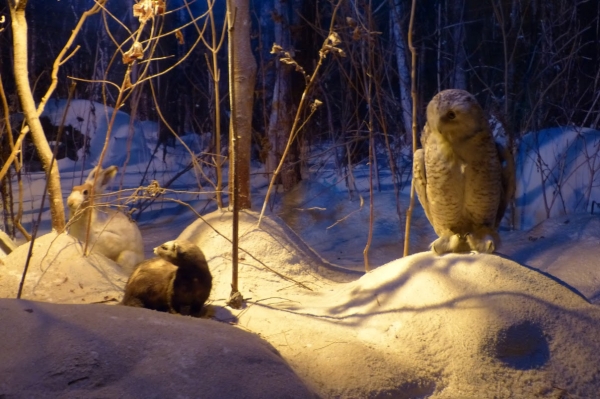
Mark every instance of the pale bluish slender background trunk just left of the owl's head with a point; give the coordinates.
(402, 64)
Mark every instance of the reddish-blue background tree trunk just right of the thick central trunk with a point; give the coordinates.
(280, 118)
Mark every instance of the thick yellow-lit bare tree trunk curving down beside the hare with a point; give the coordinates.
(19, 30)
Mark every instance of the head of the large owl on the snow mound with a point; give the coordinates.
(456, 115)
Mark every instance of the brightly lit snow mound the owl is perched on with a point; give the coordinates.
(422, 326)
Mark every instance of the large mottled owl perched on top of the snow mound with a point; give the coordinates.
(463, 178)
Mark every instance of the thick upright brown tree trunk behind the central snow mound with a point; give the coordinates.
(242, 70)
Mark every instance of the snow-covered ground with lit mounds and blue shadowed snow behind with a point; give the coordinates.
(516, 324)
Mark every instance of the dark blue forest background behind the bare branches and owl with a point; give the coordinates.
(532, 64)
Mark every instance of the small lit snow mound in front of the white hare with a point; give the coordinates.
(58, 272)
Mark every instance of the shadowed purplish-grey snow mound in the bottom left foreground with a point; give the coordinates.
(76, 351)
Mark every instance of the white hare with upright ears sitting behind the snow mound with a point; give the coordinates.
(111, 233)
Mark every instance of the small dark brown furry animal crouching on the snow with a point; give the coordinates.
(177, 281)
